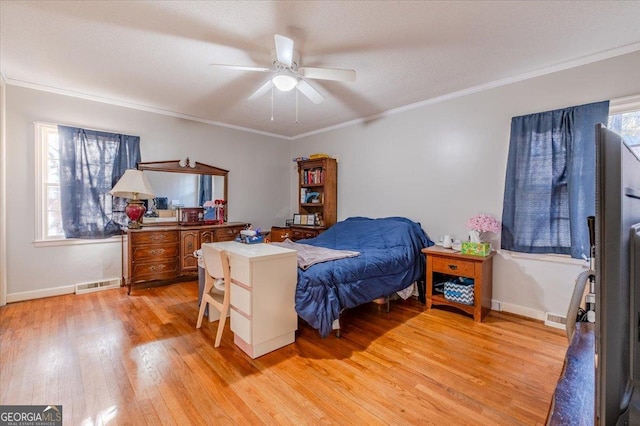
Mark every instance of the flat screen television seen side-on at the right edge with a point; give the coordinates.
(617, 268)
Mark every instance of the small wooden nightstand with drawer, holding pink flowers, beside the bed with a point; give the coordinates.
(449, 263)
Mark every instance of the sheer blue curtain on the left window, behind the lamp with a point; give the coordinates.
(91, 163)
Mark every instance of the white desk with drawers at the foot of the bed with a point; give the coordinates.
(263, 285)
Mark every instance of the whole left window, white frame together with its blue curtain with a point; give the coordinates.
(75, 170)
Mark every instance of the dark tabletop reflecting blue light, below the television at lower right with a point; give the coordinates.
(574, 398)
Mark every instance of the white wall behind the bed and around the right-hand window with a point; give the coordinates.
(439, 164)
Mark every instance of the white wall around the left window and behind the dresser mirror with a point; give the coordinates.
(258, 167)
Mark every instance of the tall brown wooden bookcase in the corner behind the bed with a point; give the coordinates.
(317, 195)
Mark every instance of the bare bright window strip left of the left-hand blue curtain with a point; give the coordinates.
(48, 214)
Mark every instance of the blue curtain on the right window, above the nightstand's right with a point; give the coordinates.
(550, 181)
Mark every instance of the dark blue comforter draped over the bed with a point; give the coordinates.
(389, 261)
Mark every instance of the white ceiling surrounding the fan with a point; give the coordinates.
(155, 55)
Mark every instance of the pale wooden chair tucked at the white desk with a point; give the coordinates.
(216, 265)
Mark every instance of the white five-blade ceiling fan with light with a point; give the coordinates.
(288, 74)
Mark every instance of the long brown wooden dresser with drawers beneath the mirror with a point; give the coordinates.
(159, 255)
